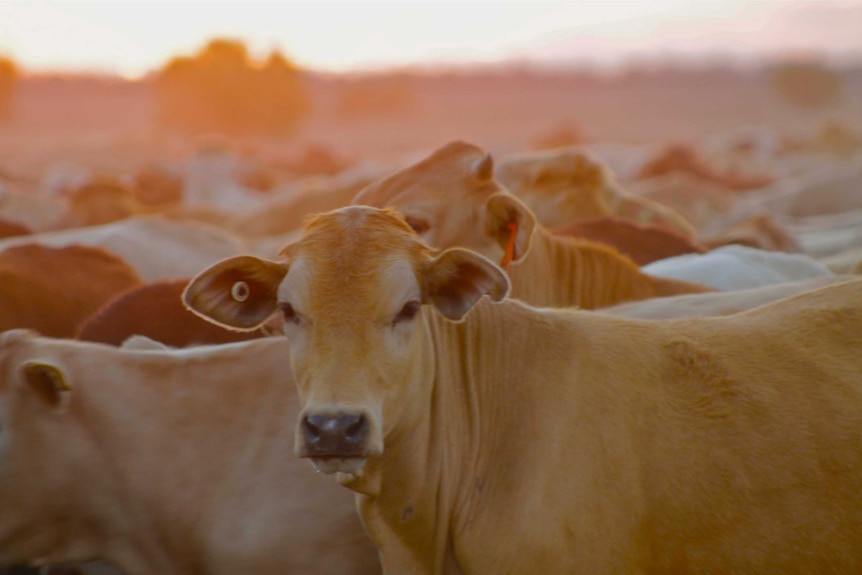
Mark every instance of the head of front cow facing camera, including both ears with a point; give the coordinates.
(351, 293)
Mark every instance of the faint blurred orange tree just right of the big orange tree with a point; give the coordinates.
(377, 96)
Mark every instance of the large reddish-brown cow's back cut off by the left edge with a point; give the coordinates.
(52, 290)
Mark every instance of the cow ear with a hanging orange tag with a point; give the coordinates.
(506, 215)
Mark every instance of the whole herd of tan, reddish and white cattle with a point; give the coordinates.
(665, 375)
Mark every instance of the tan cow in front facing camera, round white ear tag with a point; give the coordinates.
(490, 438)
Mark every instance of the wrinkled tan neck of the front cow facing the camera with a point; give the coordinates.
(411, 497)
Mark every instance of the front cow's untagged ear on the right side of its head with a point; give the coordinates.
(456, 279)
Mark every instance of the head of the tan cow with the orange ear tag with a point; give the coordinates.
(452, 199)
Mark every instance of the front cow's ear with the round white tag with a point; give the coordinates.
(238, 293)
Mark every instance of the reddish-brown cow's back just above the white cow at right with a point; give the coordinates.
(643, 243)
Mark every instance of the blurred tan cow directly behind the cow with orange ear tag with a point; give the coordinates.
(568, 185)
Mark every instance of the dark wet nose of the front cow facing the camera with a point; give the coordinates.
(335, 434)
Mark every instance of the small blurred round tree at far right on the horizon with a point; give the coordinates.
(808, 85)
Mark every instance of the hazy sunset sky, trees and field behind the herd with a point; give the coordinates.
(385, 78)
